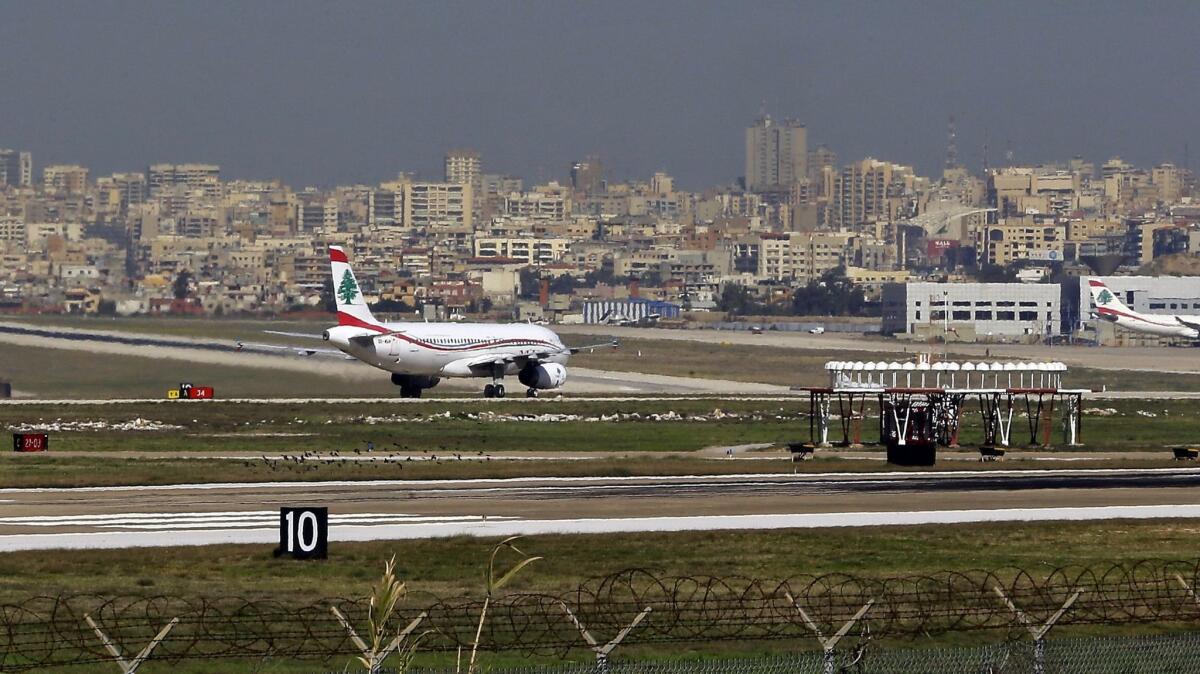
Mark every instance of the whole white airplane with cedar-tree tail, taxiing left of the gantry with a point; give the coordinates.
(419, 354)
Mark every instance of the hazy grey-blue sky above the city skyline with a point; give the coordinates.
(328, 93)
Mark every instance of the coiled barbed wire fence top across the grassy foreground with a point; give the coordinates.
(838, 615)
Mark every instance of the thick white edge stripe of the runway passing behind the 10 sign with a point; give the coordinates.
(345, 532)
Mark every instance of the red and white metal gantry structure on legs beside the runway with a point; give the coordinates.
(921, 405)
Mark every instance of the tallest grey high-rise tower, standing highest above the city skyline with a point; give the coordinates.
(777, 154)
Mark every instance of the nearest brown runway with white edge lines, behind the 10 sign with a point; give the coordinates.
(121, 517)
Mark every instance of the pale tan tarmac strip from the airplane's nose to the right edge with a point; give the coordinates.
(1144, 359)
